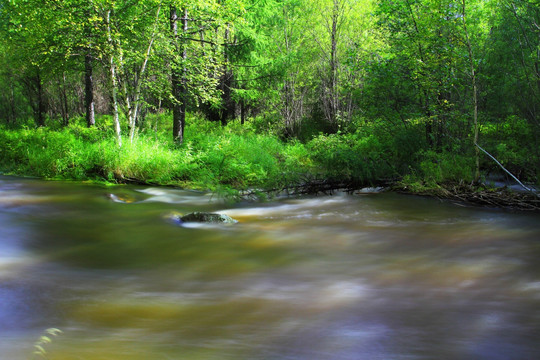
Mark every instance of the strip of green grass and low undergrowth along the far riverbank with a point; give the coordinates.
(238, 158)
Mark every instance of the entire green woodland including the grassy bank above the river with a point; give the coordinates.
(256, 96)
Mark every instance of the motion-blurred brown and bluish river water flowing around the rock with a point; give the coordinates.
(377, 276)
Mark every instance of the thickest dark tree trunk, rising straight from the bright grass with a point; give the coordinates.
(179, 82)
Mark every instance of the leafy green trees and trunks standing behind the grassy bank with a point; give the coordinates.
(459, 72)
